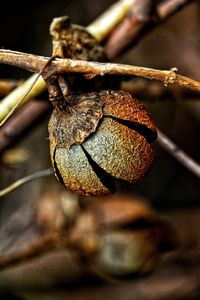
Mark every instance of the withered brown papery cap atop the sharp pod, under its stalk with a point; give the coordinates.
(78, 122)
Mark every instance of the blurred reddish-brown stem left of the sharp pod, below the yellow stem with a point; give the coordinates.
(21, 120)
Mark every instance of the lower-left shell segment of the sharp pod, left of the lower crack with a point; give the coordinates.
(77, 173)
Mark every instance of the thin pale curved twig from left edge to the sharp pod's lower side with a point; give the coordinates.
(22, 181)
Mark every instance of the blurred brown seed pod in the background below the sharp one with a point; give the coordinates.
(121, 236)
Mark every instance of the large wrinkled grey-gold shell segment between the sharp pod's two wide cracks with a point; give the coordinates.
(120, 151)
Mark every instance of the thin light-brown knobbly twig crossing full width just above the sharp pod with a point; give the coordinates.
(35, 63)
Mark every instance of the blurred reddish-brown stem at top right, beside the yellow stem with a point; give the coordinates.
(141, 18)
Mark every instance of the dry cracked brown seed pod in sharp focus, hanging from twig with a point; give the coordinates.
(99, 137)
